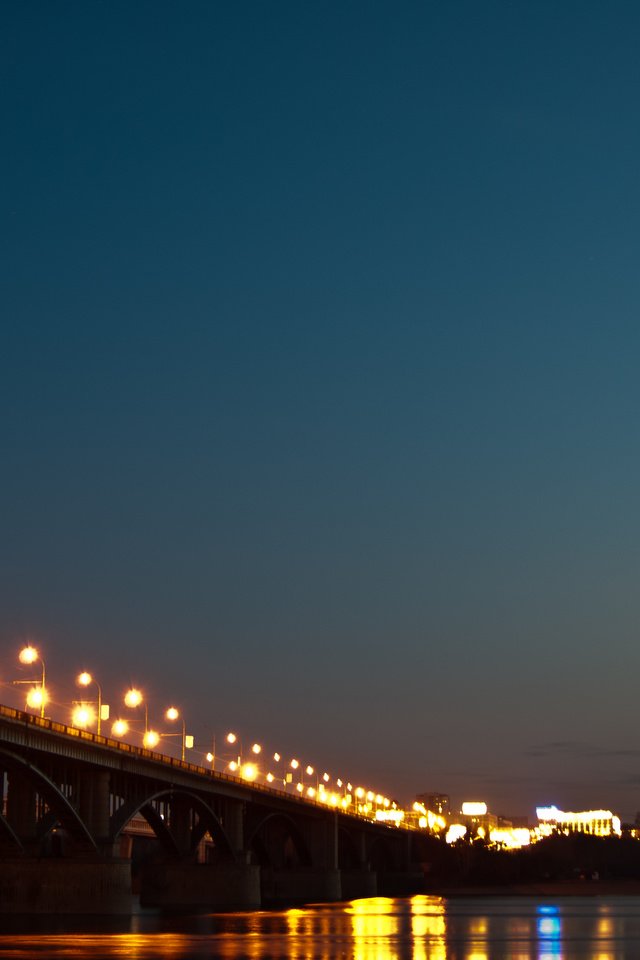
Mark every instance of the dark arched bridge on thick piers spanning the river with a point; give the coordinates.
(89, 821)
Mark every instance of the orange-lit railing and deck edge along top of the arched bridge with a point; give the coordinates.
(45, 723)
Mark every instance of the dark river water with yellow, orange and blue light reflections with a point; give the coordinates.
(419, 928)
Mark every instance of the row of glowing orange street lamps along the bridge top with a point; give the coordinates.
(88, 713)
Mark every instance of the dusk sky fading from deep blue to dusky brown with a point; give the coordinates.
(319, 379)
